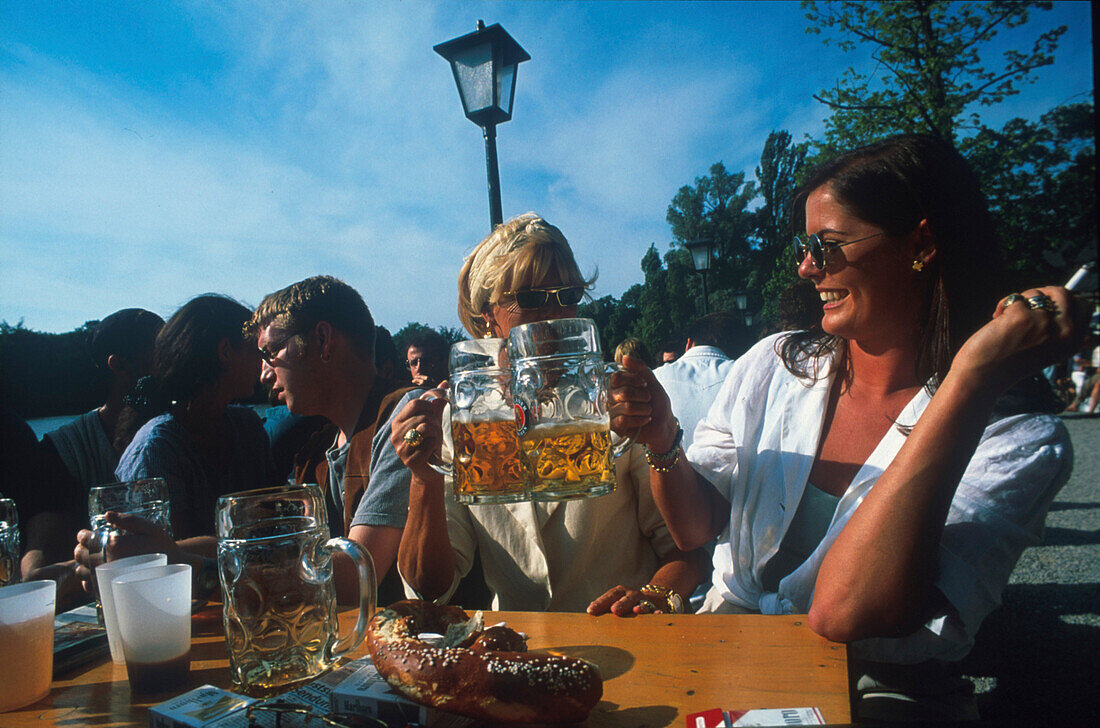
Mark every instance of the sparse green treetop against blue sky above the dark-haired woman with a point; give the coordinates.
(930, 74)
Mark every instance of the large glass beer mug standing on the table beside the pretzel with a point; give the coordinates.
(276, 562)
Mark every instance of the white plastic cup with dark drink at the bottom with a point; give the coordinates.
(155, 613)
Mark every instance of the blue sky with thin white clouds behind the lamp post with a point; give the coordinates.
(155, 151)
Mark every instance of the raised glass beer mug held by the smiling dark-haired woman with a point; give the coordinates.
(560, 387)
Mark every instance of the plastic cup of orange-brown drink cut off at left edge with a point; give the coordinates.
(27, 642)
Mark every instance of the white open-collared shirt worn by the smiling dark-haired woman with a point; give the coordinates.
(757, 446)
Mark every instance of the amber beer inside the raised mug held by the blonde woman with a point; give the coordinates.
(487, 462)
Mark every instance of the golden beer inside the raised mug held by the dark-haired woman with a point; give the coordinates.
(569, 460)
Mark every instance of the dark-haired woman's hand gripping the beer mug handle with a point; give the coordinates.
(641, 407)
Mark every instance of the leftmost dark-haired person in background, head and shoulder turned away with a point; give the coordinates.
(122, 346)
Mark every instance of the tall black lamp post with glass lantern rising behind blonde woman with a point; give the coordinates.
(485, 67)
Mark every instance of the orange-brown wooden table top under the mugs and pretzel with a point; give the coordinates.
(657, 669)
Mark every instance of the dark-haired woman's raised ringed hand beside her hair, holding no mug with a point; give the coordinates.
(1029, 332)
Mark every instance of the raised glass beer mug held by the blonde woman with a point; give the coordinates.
(487, 467)
